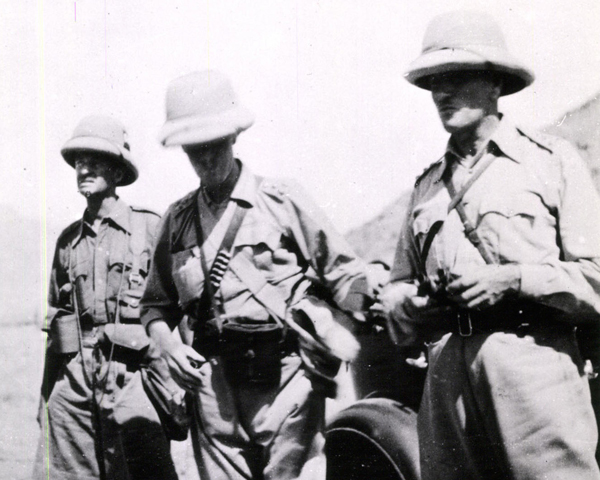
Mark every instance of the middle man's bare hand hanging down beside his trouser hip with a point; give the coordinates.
(183, 361)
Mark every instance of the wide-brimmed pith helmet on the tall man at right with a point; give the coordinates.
(467, 40)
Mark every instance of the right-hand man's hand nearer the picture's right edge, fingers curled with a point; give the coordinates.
(485, 286)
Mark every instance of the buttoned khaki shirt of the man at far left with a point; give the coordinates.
(98, 262)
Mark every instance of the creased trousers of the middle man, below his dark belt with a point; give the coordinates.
(258, 432)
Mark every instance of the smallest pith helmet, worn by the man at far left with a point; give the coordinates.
(102, 134)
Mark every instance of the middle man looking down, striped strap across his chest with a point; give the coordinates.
(258, 399)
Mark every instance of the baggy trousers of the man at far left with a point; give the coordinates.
(110, 426)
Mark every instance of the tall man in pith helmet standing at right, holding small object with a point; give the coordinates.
(498, 262)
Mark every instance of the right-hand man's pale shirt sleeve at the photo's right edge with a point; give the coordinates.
(572, 282)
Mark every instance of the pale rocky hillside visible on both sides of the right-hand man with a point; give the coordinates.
(376, 239)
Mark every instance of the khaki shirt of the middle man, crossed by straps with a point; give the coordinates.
(283, 232)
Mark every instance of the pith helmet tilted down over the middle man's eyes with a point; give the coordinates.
(202, 107)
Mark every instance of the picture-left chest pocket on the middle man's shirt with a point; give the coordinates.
(187, 275)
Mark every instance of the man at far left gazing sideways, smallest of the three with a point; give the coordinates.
(97, 422)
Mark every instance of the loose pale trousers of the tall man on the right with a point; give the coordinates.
(507, 406)
